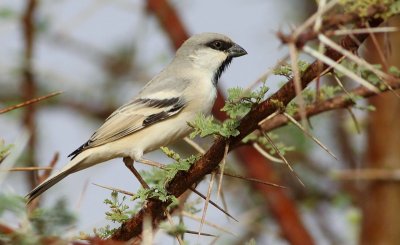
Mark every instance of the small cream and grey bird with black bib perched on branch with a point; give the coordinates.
(159, 114)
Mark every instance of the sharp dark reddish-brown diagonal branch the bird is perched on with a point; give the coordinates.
(205, 165)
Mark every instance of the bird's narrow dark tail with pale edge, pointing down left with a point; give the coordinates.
(72, 166)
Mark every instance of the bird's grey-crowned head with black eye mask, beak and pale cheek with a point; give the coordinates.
(210, 52)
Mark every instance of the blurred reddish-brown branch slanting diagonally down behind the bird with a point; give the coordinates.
(288, 218)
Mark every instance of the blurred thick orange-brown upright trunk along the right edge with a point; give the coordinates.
(381, 216)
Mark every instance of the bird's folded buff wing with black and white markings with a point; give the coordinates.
(131, 117)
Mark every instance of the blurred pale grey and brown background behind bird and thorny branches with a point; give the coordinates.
(99, 53)
